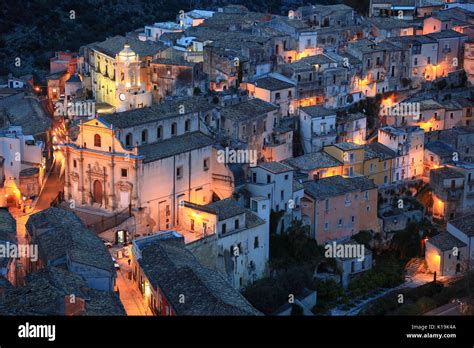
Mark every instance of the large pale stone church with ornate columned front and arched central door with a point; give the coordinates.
(152, 176)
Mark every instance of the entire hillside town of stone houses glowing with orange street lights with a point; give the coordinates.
(237, 163)
